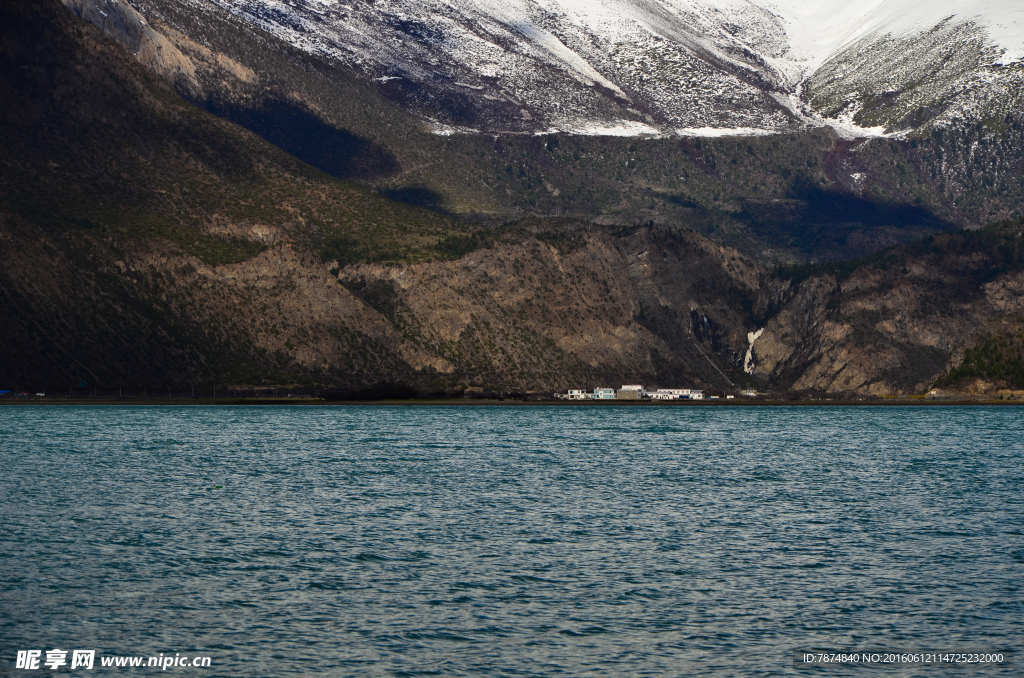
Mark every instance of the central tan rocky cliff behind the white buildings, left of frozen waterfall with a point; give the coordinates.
(578, 308)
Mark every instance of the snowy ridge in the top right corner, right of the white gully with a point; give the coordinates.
(903, 65)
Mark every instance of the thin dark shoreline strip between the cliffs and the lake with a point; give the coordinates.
(305, 402)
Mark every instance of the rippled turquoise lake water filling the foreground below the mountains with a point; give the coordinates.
(519, 541)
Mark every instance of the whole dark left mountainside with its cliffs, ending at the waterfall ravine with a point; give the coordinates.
(150, 243)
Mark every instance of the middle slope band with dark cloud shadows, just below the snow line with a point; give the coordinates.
(337, 118)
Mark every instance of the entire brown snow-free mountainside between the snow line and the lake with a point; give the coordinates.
(149, 242)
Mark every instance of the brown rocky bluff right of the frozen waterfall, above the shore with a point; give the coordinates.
(898, 323)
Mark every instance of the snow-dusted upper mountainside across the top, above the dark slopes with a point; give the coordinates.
(652, 67)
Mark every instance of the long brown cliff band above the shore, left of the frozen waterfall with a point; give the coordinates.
(527, 314)
